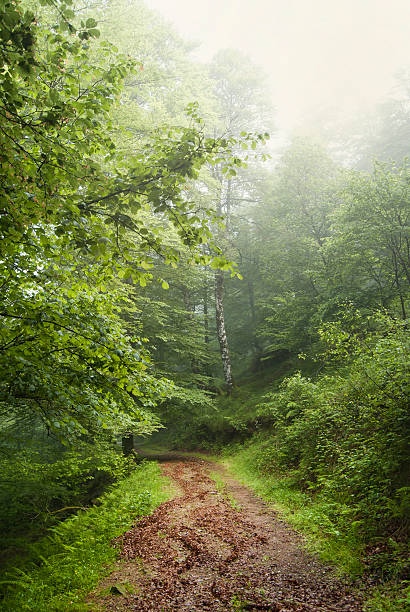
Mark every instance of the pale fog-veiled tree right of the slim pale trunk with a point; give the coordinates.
(294, 224)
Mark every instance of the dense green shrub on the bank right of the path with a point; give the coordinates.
(345, 435)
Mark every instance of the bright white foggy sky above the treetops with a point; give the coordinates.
(341, 54)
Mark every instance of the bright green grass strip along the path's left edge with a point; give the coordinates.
(69, 563)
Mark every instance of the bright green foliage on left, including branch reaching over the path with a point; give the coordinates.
(79, 220)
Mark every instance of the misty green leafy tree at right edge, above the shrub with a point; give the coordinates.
(369, 248)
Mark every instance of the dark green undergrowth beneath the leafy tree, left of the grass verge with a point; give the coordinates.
(44, 484)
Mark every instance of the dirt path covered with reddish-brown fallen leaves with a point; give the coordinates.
(197, 552)
